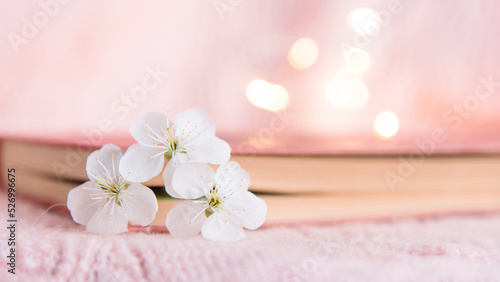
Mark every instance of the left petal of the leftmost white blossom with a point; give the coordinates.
(80, 205)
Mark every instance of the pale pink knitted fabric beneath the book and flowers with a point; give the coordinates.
(453, 248)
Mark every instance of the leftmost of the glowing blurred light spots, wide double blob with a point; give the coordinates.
(262, 94)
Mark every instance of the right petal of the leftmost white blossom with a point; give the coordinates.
(140, 204)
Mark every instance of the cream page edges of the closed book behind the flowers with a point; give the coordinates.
(296, 188)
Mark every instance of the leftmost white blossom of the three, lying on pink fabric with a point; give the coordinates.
(107, 203)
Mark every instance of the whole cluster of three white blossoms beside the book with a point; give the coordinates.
(218, 203)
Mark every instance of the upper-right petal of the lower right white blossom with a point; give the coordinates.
(231, 178)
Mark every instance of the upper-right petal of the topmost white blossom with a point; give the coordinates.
(192, 123)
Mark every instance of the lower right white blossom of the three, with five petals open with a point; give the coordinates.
(223, 206)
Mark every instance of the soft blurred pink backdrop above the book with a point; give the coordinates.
(429, 57)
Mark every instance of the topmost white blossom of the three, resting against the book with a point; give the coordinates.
(191, 136)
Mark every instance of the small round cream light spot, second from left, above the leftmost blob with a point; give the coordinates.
(303, 54)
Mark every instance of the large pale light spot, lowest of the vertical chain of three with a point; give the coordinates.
(350, 92)
